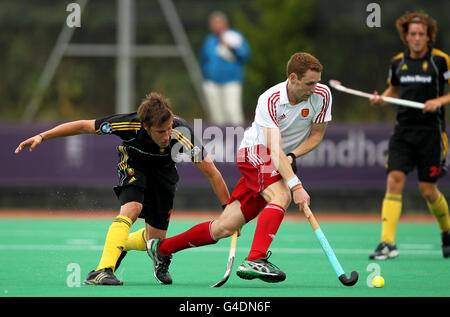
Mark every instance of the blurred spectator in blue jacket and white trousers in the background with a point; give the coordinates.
(222, 59)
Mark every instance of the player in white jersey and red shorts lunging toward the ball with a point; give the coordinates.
(291, 117)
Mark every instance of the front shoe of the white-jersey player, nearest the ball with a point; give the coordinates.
(261, 269)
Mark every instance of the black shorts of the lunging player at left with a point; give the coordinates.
(151, 191)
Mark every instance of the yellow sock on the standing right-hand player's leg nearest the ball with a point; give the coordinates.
(390, 213)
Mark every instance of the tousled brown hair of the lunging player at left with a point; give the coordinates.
(155, 110)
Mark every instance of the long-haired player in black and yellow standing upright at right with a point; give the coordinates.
(419, 139)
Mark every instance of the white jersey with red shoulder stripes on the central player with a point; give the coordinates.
(294, 121)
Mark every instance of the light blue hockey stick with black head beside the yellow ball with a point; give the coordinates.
(329, 251)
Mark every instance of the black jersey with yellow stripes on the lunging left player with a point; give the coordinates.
(140, 147)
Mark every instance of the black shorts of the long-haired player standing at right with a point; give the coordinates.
(424, 149)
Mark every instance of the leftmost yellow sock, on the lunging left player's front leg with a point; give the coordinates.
(115, 242)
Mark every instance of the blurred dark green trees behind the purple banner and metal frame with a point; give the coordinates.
(85, 87)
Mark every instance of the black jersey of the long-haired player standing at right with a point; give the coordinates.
(420, 80)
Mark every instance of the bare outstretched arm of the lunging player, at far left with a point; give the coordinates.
(62, 130)
